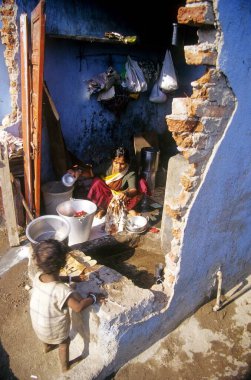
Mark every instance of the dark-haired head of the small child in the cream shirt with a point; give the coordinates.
(50, 255)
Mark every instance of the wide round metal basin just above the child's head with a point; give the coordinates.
(48, 227)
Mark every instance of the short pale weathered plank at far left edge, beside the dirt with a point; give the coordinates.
(8, 198)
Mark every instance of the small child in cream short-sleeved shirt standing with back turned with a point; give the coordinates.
(51, 299)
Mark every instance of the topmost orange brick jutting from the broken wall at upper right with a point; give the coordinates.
(196, 15)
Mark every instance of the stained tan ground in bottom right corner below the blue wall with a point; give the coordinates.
(207, 346)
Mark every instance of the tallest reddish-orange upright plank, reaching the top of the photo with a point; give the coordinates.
(37, 62)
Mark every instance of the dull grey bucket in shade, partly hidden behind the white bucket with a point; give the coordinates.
(55, 193)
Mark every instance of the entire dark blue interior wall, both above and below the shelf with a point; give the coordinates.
(89, 129)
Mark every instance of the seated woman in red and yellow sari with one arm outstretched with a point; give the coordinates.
(113, 176)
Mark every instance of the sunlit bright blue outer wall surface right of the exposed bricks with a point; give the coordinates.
(218, 230)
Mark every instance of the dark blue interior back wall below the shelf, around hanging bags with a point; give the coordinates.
(87, 126)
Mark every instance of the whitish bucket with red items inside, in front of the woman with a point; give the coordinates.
(80, 226)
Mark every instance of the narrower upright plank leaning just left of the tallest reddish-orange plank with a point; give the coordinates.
(26, 123)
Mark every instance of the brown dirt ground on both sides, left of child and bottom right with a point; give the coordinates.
(209, 345)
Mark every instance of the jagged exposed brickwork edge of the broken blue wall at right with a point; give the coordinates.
(196, 122)
